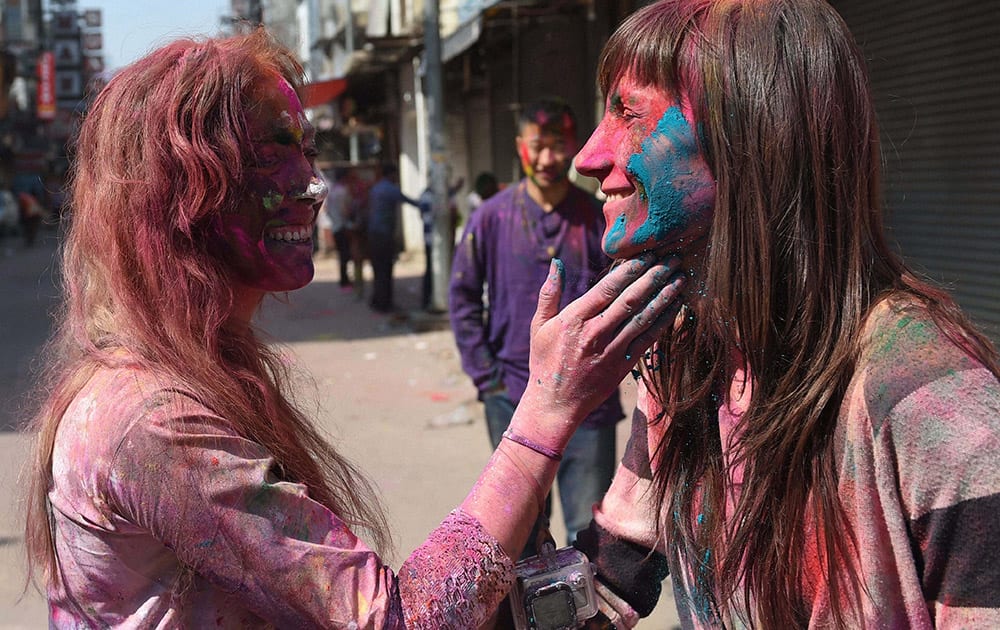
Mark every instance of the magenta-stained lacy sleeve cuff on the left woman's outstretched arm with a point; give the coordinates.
(457, 578)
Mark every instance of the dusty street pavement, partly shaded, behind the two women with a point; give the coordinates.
(388, 391)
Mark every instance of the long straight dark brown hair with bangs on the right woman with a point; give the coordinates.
(797, 260)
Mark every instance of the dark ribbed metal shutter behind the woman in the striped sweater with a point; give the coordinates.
(935, 69)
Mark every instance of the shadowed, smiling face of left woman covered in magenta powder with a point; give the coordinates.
(268, 240)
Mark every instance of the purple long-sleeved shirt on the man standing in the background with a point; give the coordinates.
(507, 246)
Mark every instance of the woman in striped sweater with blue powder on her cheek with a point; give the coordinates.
(817, 441)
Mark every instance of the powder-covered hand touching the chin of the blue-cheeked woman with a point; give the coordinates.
(581, 354)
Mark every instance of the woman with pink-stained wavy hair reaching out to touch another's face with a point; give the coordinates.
(174, 482)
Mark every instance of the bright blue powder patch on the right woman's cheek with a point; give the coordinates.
(656, 174)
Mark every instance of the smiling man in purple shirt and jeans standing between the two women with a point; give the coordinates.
(507, 246)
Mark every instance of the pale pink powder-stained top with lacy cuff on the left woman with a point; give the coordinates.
(166, 517)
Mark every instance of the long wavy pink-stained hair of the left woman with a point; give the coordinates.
(162, 150)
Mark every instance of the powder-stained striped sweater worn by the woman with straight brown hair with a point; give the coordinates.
(918, 448)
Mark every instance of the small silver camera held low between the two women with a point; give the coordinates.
(553, 591)
